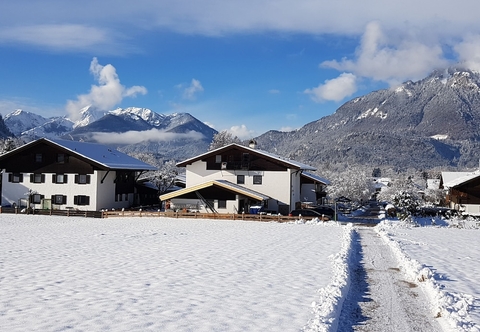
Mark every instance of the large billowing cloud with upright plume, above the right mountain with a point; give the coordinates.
(392, 62)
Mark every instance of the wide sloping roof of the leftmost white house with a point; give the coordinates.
(101, 155)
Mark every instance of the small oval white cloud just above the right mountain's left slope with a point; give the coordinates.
(335, 89)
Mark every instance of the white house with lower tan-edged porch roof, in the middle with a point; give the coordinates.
(236, 179)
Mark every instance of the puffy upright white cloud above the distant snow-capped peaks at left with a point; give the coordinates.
(107, 94)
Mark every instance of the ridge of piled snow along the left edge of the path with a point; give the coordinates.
(328, 306)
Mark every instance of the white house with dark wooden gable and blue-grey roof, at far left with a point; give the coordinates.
(62, 174)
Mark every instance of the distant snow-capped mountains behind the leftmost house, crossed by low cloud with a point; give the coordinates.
(174, 136)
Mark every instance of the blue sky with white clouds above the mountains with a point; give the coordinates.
(246, 66)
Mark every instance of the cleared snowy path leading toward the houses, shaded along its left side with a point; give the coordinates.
(380, 298)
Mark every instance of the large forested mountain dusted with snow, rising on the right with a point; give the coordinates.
(431, 123)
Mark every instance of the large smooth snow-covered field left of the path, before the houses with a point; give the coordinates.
(158, 274)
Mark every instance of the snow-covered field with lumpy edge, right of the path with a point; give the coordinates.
(446, 261)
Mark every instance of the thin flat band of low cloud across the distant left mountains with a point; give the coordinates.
(152, 135)
